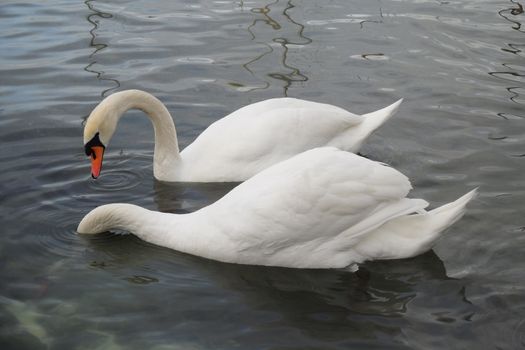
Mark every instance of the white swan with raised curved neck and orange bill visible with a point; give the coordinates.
(237, 146)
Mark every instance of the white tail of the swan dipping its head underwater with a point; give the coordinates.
(410, 235)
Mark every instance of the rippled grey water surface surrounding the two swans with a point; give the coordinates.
(458, 64)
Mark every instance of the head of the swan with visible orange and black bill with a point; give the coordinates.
(100, 127)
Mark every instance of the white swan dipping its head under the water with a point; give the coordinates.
(324, 208)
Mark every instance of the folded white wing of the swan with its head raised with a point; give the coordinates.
(259, 135)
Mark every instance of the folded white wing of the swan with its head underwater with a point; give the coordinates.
(305, 202)
